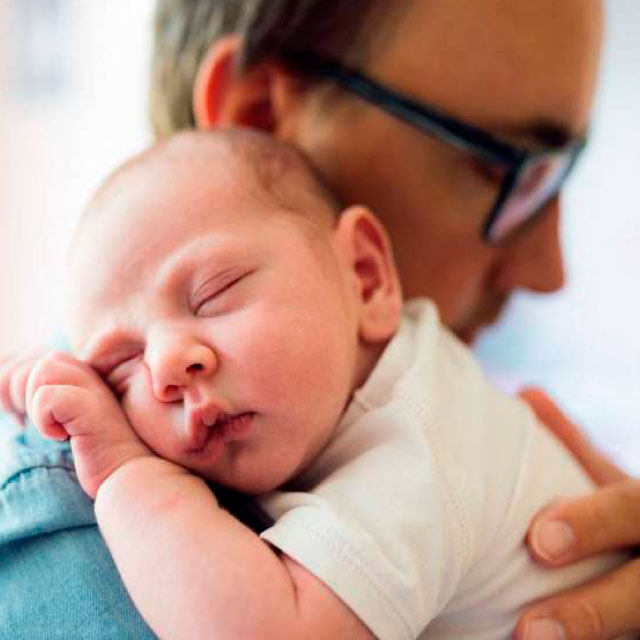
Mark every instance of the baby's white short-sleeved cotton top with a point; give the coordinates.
(416, 512)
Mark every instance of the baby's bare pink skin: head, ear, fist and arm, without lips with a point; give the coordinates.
(238, 302)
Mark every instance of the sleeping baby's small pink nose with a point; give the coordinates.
(176, 361)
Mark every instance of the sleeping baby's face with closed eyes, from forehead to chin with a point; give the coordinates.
(225, 325)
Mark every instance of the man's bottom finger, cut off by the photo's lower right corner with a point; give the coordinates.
(595, 611)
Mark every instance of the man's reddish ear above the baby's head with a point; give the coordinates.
(263, 97)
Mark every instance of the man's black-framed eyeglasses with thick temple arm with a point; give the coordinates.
(531, 177)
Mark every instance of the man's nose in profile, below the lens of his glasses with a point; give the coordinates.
(533, 259)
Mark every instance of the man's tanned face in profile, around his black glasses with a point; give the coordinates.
(523, 71)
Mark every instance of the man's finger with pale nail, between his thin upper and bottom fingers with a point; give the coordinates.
(571, 530)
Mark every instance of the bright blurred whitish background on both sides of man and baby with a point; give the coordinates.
(73, 104)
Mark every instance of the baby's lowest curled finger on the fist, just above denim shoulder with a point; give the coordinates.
(53, 408)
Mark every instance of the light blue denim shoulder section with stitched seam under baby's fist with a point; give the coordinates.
(39, 492)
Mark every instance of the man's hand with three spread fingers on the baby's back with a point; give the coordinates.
(572, 530)
